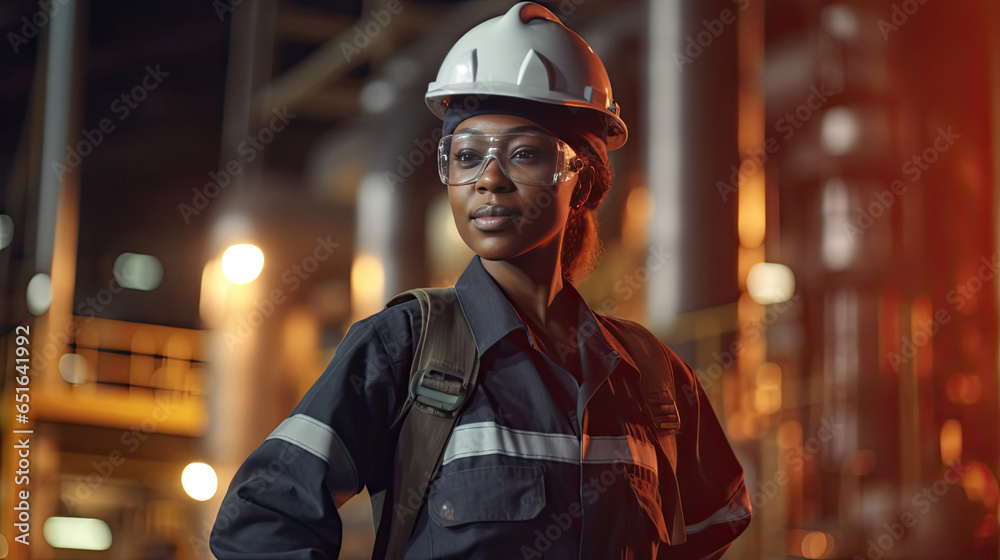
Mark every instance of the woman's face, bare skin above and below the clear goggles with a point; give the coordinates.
(501, 219)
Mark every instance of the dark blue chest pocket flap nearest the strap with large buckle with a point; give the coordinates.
(503, 493)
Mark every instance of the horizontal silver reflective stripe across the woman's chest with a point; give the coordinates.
(489, 438)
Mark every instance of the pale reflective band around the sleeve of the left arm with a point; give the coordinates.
(320, 440)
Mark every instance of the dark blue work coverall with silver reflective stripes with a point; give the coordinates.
(538, 466)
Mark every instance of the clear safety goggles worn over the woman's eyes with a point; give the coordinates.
(529, 159)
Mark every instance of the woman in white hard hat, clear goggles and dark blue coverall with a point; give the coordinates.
(561, 449)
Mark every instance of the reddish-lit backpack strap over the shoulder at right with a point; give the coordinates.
(656, 383)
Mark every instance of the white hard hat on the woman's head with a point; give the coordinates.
(528, 54)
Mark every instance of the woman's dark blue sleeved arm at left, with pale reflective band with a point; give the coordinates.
(282, 502)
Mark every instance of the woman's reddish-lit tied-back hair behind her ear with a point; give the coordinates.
(581, 249)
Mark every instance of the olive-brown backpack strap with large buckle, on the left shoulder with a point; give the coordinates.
(444, 373)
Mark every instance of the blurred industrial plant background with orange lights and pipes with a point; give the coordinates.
(197, 199)
